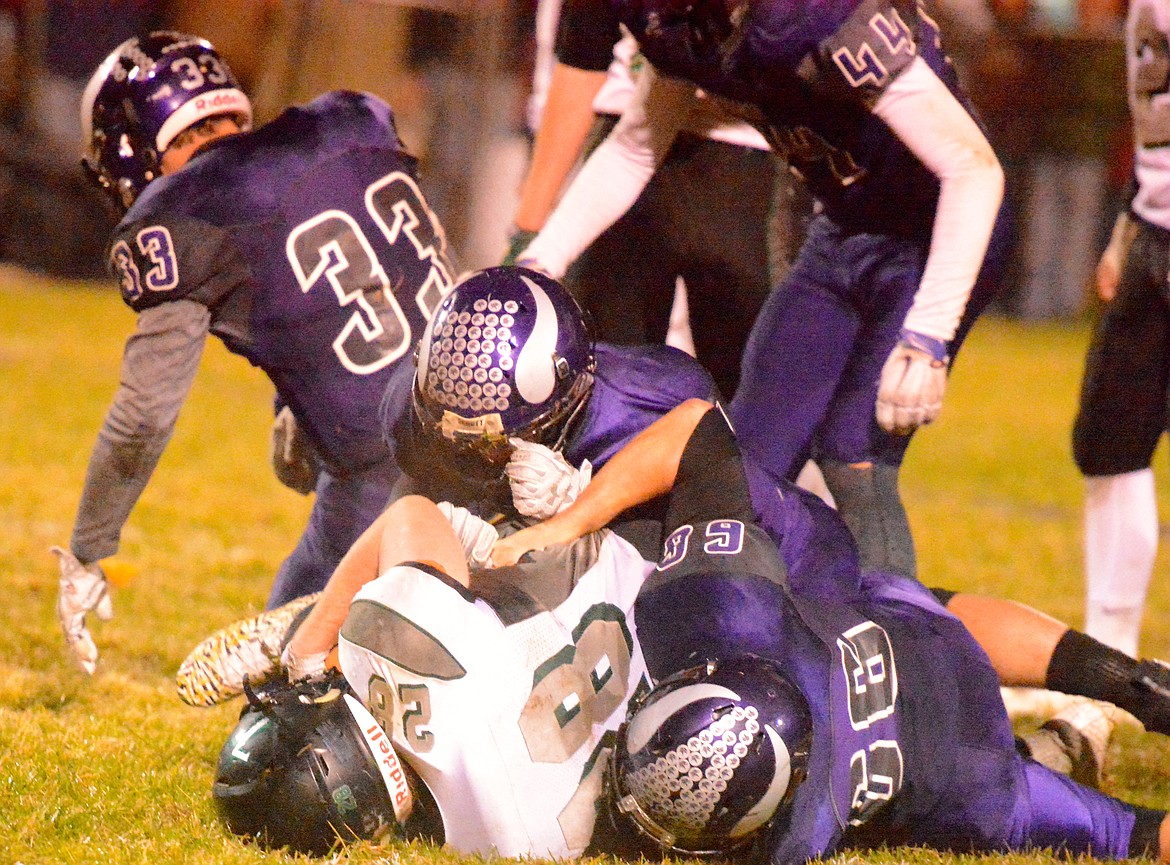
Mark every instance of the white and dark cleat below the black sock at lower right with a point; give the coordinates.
(1076, 742)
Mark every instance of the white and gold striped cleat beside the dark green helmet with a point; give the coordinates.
(249, 650)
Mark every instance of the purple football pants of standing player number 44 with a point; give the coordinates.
(815, 356)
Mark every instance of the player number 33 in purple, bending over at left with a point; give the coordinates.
(306, 246)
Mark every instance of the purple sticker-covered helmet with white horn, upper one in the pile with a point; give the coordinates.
(507, 354)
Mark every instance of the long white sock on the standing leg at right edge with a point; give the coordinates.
(1121, 539)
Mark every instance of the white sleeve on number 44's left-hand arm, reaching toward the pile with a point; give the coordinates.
(616, 175)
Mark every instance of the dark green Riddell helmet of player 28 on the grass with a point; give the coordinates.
(308, 766)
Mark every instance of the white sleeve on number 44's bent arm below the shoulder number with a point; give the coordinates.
(940, 133)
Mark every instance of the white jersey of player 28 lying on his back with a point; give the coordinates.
(507, 716)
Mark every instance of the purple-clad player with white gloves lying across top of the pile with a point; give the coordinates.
(512, 457)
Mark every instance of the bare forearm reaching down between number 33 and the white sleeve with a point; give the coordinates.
(565, 127)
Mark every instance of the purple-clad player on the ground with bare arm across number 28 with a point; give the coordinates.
(792, 718)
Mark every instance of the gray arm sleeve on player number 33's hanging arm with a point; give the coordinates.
(159, 366)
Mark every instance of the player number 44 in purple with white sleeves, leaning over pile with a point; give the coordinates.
(851, 352)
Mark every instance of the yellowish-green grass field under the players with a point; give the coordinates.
(115, 770)
